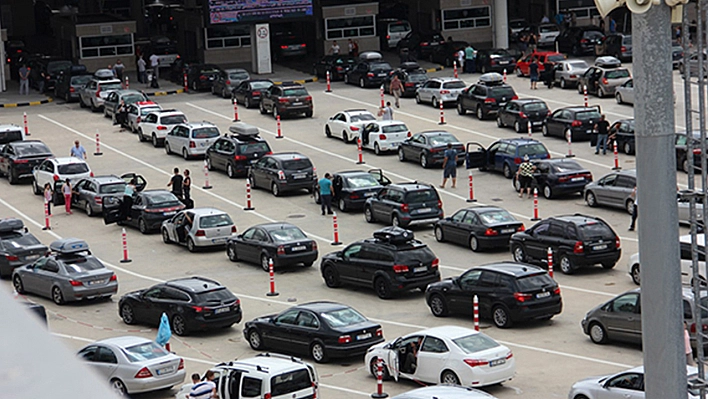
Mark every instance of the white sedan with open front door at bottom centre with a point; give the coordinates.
(447, 355)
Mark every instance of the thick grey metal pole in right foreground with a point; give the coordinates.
(662, 334)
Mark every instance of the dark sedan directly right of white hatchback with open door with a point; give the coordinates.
(283, 243)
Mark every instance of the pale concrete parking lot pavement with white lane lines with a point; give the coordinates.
(550, 355)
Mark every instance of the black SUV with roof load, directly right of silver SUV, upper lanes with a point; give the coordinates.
(486, 96)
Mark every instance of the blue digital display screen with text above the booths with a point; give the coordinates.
(228, 11)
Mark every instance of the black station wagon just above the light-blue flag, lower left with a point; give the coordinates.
(191, 303)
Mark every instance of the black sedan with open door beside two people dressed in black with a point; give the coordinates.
(150, 208)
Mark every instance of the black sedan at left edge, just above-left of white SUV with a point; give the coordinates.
(17, 159)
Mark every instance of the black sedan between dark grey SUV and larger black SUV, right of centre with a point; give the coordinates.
(478, 227)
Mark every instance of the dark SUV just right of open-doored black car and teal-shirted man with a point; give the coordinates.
(404, 204)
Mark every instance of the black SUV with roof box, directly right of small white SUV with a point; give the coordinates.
(235, 153)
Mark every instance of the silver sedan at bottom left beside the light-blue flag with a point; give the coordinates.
(134, 364)
